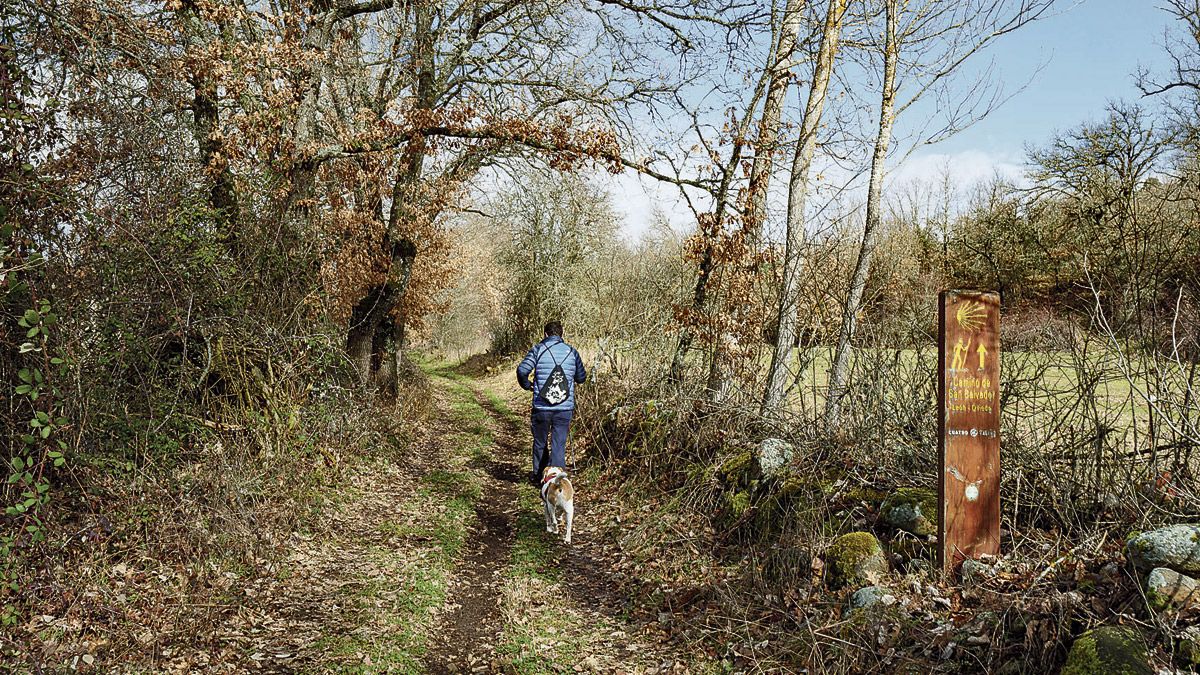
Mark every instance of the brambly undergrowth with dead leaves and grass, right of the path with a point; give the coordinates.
(751, 555)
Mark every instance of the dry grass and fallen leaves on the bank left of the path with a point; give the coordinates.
(178, 565)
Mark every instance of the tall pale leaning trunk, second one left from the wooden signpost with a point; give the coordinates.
(796, 240)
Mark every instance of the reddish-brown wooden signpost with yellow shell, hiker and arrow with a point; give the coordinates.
(968, 426)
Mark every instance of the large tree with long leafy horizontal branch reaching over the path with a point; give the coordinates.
(477, 83)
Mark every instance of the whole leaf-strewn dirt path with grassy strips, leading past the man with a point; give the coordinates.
(436, 560)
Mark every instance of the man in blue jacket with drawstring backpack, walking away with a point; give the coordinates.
(556, 369)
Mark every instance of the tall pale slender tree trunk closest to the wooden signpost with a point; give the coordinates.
(838, 374)
